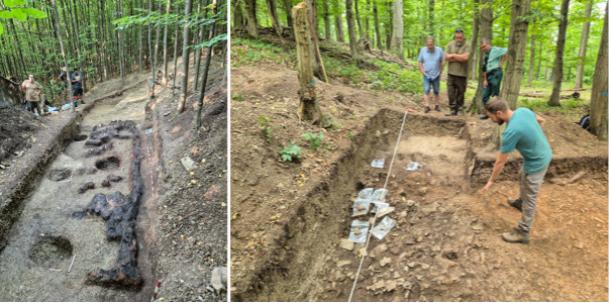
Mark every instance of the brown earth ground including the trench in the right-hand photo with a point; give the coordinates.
(288, 219)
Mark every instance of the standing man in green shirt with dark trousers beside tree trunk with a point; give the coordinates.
(492, 70)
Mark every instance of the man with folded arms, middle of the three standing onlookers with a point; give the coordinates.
(457, 54)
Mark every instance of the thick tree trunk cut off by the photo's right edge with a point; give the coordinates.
(599, 91)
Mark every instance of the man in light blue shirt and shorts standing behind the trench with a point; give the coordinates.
(431, 66)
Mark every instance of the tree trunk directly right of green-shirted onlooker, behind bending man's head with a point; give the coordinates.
(516, 52)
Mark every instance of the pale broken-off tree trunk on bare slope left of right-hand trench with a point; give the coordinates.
(309, 109)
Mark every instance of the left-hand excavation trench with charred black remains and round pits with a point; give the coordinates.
(75, 237)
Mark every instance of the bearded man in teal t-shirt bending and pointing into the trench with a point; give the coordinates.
(523, 133)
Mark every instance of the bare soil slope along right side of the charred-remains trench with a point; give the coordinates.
(190, 208)
